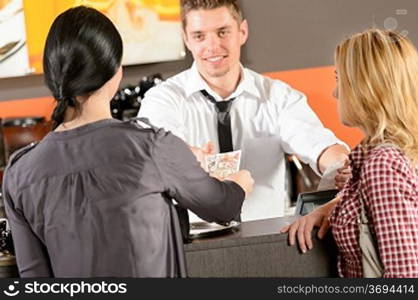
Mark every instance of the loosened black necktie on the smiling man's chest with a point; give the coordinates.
(224, 122)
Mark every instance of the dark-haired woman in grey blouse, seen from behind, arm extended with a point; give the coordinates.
(93, 198)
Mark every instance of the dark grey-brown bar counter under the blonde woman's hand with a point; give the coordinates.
(258, 249)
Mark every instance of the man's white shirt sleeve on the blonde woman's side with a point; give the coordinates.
(301, 131)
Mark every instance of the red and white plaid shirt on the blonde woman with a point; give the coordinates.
(388, 184)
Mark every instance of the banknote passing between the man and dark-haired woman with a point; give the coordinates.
(223, 164)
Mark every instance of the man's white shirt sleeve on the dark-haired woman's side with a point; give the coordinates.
(161, 105)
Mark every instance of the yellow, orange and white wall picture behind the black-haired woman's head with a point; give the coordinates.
(150, 30)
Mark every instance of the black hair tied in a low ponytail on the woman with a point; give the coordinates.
(83, 51)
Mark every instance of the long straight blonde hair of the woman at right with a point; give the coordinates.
(378, 77)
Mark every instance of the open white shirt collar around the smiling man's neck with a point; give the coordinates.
(197, 83)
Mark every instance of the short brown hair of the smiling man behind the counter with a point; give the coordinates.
(189, 5)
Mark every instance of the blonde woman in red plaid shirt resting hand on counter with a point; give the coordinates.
(377, 75)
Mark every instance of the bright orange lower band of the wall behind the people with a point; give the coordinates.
(316, 83)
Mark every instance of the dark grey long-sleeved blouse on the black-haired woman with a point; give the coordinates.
(95, 201)
